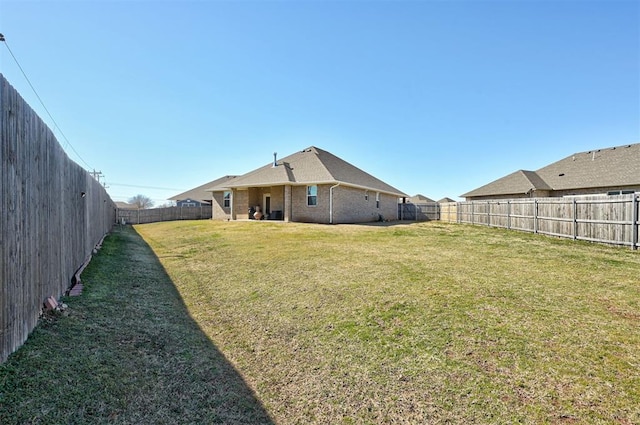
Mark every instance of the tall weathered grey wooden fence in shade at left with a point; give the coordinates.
(53, 215)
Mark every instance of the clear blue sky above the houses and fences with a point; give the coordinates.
(433, 97)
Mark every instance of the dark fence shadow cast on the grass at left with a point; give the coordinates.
(126, 351)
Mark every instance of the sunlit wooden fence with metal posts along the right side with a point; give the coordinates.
(605, 219)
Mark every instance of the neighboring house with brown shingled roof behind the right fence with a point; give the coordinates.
(610, 171)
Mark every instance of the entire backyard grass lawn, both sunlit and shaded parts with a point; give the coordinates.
(300, 323)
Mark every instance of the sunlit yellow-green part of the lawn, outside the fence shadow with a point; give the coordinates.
(425, 323)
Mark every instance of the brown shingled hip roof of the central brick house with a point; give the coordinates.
(311, 166)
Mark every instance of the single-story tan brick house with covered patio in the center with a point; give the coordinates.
(312, 185)
